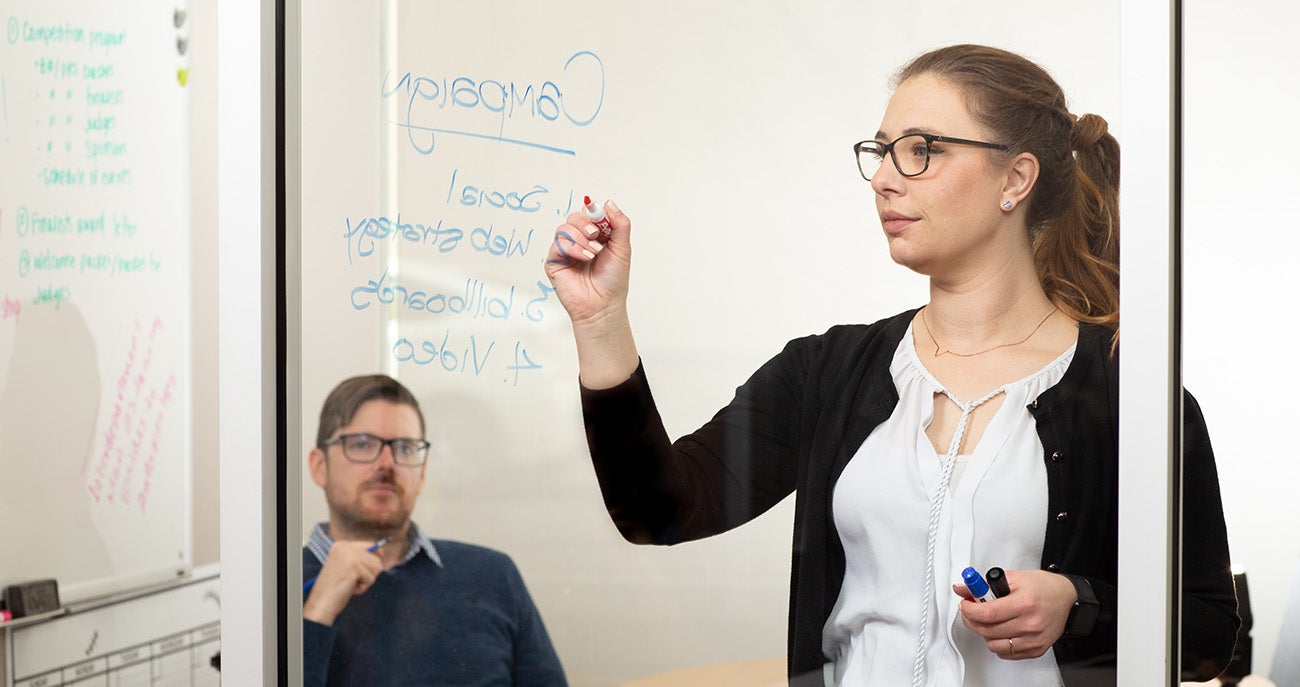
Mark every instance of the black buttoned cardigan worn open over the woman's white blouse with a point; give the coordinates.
(796, 424)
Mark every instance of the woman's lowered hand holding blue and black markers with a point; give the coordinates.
(1029, 621)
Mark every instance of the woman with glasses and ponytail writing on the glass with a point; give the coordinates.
(978, 430)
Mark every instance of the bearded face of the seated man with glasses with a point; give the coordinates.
(370, 500)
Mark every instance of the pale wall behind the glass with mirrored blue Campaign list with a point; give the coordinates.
(443, 145)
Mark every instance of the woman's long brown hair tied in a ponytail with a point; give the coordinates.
(1074, 206)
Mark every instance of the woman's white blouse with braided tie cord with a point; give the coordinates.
(991, 513)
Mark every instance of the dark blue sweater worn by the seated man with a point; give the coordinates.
(469, 621)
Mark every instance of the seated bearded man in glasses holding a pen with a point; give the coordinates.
(384, 604)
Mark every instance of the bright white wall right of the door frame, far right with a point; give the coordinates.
(1242, 237)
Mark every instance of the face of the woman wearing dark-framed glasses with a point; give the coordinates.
(943, 223)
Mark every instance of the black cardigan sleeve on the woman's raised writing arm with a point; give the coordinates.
(734, 469)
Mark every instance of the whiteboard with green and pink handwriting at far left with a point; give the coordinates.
(94, 295)
